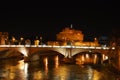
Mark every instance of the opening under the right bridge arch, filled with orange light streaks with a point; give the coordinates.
(88, 57)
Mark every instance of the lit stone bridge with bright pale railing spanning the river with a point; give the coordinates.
(67, 51)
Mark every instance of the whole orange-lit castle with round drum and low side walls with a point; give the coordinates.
(70, 36)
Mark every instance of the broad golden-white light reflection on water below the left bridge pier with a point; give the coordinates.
(19, 71)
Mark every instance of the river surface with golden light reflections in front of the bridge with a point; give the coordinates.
(47, 69)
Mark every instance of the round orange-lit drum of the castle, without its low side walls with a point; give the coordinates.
(69, 36)
